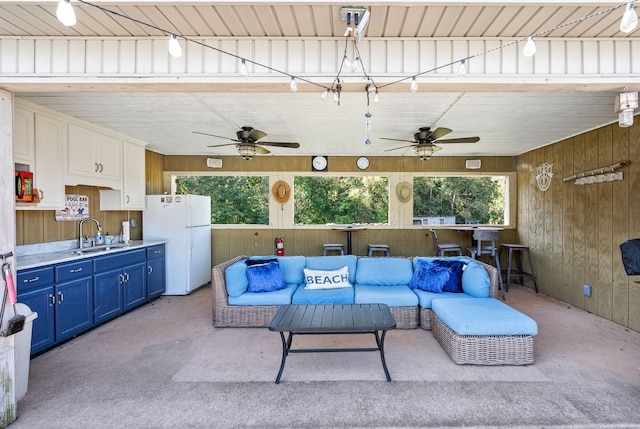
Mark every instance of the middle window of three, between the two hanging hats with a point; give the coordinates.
(341, 200)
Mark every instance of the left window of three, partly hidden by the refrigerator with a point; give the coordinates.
(234, 199)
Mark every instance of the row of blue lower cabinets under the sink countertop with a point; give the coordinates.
(72, 297)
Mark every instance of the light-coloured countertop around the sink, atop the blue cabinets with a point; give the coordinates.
(39, 255)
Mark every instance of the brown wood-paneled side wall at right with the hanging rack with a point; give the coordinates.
(574, 231)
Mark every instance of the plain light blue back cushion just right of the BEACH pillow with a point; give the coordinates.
(384, 271)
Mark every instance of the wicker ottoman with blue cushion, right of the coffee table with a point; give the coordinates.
(483, 331)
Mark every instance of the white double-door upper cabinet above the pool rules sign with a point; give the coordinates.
(94, 157)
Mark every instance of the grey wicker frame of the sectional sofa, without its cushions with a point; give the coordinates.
(241, 316)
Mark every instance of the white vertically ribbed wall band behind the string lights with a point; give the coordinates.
(93, 56)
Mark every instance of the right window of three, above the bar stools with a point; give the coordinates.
(446, 200)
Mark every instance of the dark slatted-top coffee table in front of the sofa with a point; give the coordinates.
(302, 319)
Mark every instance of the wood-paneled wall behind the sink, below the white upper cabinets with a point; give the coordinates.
(40, 226)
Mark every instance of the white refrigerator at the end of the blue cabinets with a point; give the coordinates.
(184, 221)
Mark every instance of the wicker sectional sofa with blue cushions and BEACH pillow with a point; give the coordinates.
(242, 298)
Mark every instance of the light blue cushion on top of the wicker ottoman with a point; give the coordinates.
(483, 316)
